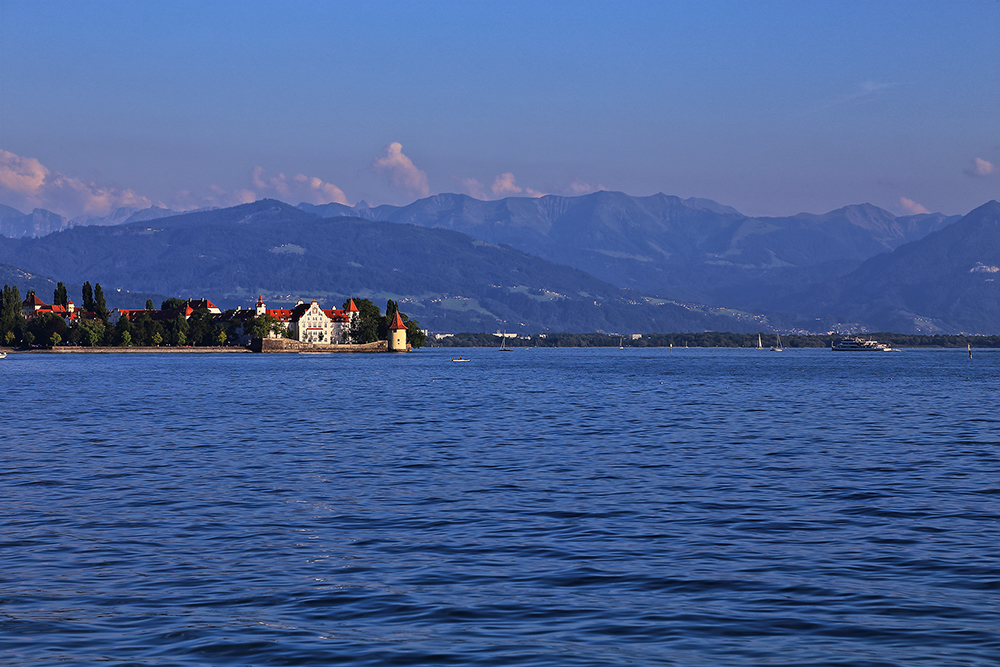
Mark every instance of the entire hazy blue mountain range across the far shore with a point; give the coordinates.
(604, 261)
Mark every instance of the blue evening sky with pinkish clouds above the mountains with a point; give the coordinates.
(770, 107)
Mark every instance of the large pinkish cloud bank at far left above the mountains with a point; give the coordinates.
(26, 184)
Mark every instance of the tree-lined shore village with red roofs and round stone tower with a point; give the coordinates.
(186, 324)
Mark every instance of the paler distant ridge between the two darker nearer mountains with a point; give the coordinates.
(690, 249)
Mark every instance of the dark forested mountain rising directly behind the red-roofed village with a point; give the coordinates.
(447, 280)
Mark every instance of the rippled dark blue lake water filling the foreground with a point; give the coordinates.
(540, 507)
